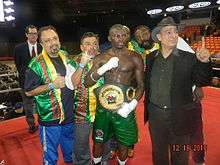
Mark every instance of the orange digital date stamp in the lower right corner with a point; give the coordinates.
(188, 147)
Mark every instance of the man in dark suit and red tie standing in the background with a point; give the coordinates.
(23, 53)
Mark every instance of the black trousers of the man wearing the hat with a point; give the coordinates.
(167, 148)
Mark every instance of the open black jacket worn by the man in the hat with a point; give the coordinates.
(187, 71)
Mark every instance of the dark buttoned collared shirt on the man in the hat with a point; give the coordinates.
(160, 80)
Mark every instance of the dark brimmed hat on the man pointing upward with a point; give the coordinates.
(168, 21)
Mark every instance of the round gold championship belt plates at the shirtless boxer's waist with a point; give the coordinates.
(111, 97)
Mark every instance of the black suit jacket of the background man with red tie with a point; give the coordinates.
(22, 58)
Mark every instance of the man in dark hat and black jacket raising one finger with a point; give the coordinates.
(169, 105)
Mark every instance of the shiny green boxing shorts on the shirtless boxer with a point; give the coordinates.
(108, 124)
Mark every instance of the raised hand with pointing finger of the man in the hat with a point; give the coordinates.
(202, 53)
